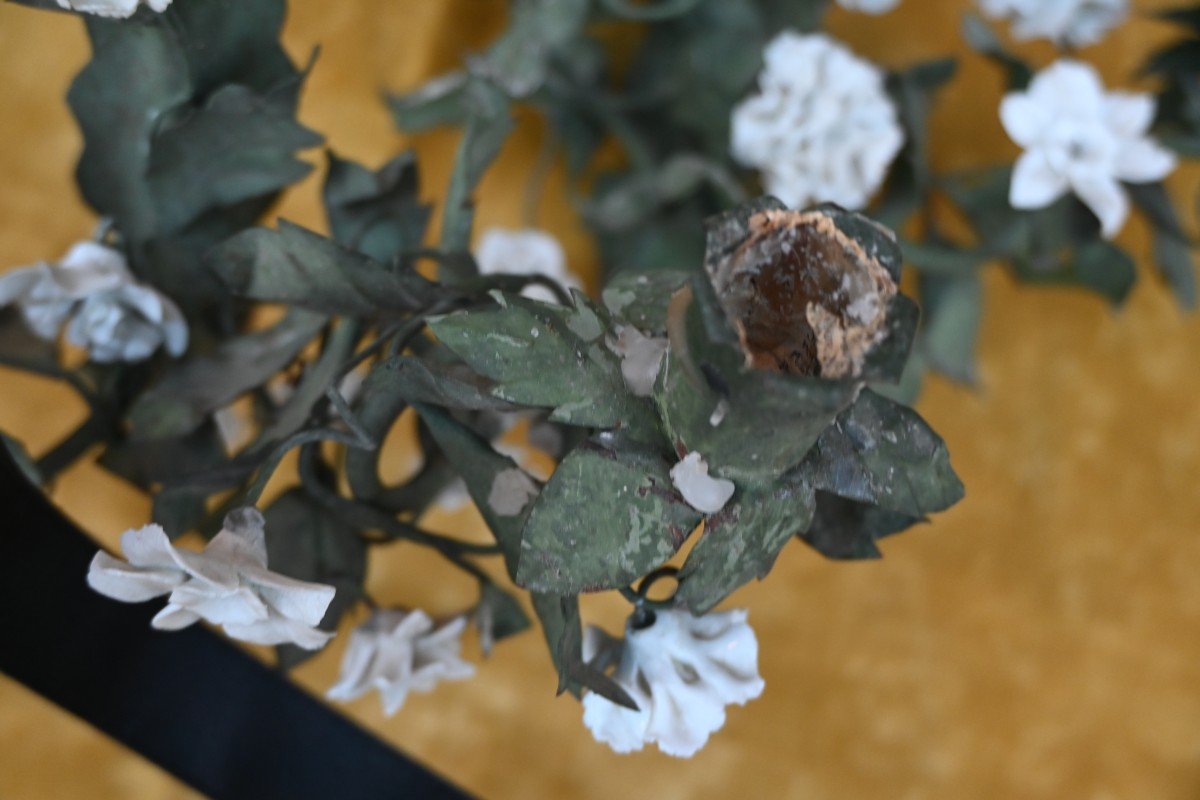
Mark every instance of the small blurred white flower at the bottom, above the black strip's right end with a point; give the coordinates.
(398, 653)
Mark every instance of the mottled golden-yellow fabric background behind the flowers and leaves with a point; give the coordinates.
(1040, 641)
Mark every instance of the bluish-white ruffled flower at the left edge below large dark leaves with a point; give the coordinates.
(104, 308)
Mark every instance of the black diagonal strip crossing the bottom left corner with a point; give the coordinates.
(190, 701)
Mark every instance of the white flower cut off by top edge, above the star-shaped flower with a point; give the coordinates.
(1071, 23)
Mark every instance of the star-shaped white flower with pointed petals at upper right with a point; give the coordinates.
(1078, 139)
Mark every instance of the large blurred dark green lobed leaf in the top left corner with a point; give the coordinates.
(155, 83)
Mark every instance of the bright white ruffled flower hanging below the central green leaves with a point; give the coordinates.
(682, 671)
